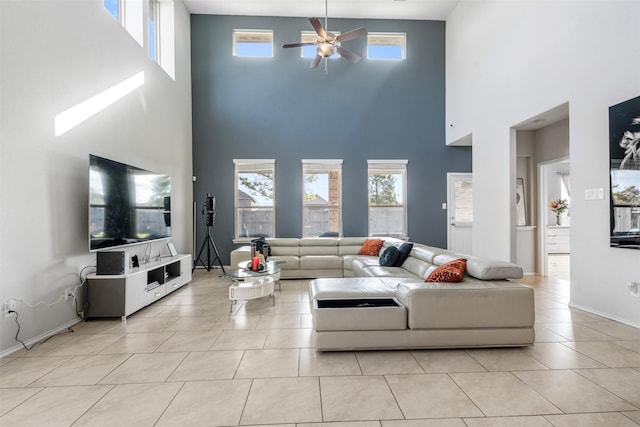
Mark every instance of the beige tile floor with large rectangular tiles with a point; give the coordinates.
(186, 361)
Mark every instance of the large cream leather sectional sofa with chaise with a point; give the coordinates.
(357, 304)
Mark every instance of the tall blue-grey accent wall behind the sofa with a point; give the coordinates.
(277, 108)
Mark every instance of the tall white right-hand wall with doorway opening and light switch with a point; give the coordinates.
(509, 61)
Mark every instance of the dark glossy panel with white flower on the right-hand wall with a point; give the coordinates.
(624, 157)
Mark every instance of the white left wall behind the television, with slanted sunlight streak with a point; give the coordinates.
(56, 54)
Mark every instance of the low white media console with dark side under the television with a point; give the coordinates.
(123, 295)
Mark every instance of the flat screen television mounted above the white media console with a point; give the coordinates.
(127, 204)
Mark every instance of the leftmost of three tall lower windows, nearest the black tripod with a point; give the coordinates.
(255, 198)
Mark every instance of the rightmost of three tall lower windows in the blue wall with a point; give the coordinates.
(387, 198)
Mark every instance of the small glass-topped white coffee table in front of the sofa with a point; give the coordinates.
(248, 284)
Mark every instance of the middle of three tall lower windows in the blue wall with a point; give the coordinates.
(321, 198)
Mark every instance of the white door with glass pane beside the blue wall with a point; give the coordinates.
(459, 212)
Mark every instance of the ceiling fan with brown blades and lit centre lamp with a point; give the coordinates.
(328, 43)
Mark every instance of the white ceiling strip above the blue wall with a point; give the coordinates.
(437, 10)
